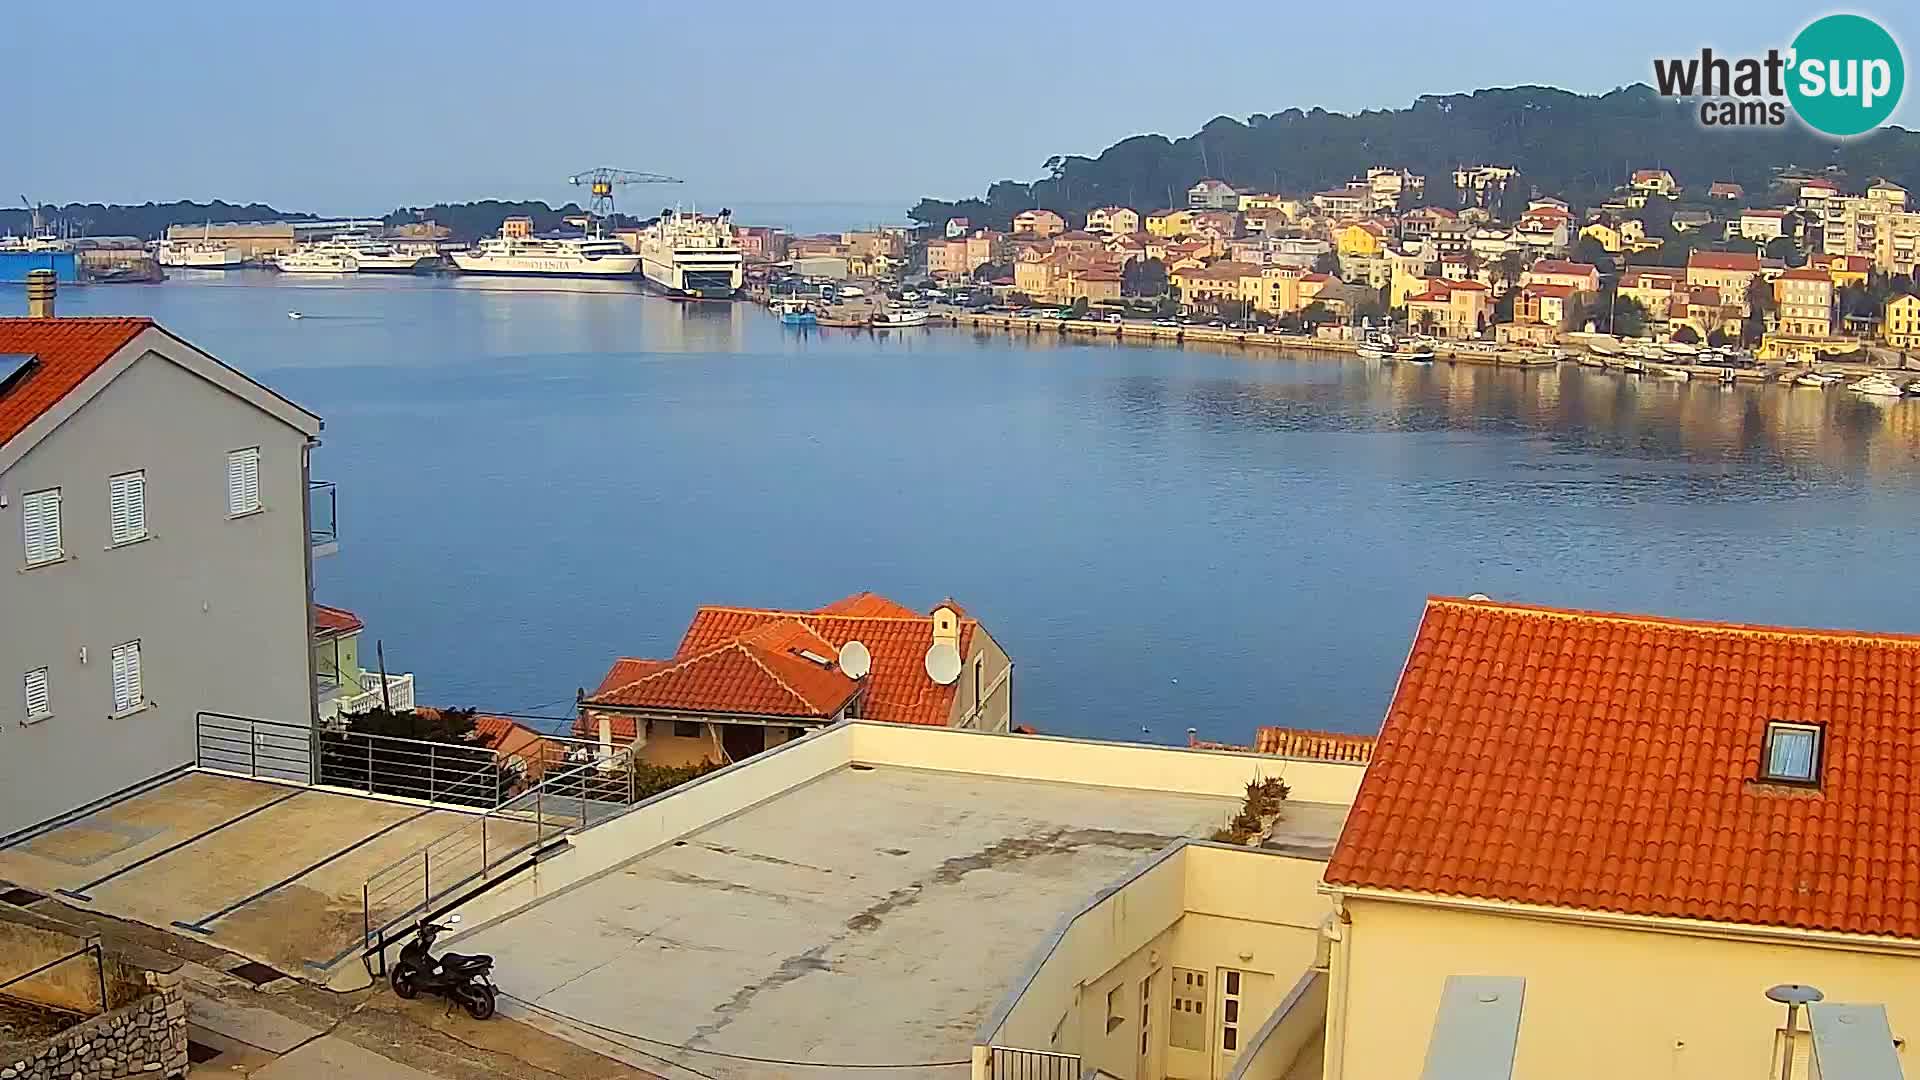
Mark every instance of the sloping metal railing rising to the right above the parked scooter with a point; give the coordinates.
(496, 841)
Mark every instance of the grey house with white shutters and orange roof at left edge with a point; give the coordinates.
(155, 558)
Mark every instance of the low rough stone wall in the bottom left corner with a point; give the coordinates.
(147, 1039)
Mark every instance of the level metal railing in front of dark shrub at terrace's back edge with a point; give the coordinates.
(416, 770)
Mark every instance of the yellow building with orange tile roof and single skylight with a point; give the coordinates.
(1620, 856)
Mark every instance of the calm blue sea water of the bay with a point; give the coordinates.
(539, 478)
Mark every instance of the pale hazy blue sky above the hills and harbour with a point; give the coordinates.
(354, 107)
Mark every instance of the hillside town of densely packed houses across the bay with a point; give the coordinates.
(1802, 272)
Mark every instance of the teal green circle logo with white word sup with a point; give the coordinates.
(1848, 76)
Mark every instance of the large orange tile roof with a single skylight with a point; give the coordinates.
(1608, 764)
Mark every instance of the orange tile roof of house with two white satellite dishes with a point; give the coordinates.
(746, 660)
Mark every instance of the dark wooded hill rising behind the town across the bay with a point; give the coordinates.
(1575, 145)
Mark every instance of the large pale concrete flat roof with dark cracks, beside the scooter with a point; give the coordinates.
(871, 916)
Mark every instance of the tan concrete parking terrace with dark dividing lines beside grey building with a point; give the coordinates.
(268, 871)
